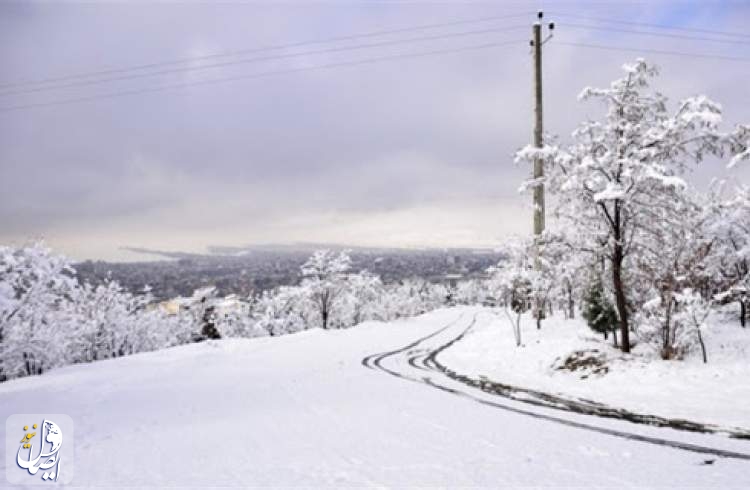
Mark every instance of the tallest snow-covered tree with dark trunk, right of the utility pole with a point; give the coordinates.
(610, 183)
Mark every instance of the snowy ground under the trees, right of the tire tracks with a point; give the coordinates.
(716, 393)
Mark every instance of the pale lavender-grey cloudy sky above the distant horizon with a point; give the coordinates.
(406, 151)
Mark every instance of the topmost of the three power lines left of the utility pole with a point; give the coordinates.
(262, 49)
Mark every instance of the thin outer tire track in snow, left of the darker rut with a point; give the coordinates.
(428, 362)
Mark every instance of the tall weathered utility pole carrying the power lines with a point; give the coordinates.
(539, 214)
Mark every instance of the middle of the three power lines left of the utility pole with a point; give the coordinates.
(257, 60)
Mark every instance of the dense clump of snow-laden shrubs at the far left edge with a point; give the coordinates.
(48, 319)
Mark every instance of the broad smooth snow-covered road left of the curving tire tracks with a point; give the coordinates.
(303, 410)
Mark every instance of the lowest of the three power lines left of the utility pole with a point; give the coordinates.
(263, 75)
